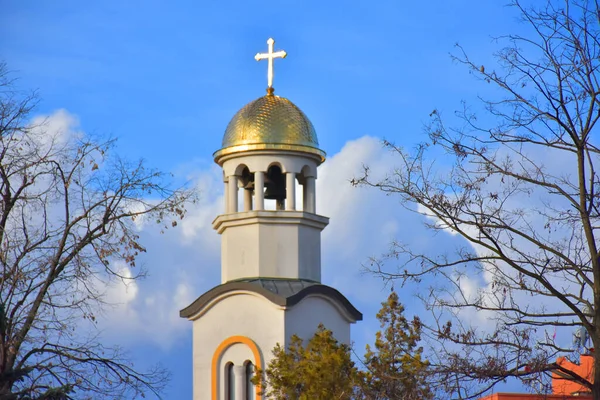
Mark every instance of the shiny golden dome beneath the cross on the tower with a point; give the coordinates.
(270, 122)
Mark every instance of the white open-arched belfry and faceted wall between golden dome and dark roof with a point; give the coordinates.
(267, 243)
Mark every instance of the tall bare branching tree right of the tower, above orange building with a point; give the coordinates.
(522, 191)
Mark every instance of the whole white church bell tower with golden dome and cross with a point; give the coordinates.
(270, 250)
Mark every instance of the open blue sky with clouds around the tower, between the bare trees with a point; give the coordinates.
(166, 77)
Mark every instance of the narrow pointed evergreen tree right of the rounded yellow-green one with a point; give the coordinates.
(395, 368)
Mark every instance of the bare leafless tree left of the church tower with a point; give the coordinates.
(67, 214)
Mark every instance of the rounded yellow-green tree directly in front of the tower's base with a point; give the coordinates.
(321, 370)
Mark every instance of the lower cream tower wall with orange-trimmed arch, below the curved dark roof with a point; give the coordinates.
(272, 325)
